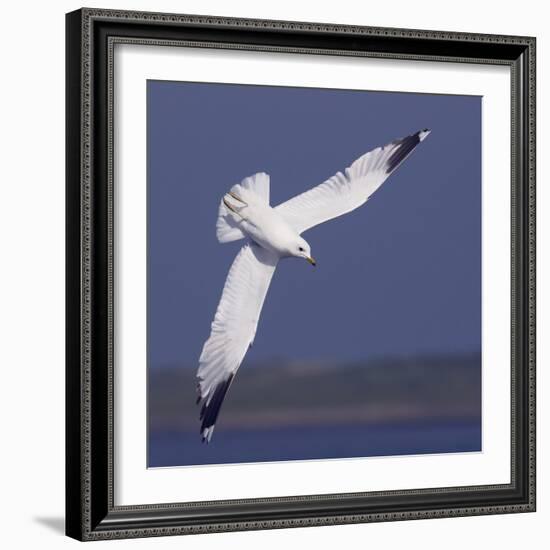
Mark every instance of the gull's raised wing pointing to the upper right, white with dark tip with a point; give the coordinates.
(346, 191)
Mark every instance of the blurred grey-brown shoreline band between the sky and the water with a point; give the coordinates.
(287, 394)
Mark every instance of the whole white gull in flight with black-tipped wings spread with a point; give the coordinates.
(274, 233)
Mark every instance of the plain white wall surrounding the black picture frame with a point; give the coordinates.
(32, 273)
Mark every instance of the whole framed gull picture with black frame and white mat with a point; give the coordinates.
(300, 274)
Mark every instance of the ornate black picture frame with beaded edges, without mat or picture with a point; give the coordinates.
(90, 510)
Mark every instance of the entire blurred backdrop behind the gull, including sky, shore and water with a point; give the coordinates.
(374, 352)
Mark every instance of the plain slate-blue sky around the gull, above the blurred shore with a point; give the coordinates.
(399, 276)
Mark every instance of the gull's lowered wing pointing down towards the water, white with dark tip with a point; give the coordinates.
(233, 329)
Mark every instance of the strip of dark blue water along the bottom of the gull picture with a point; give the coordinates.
(173, 448)
